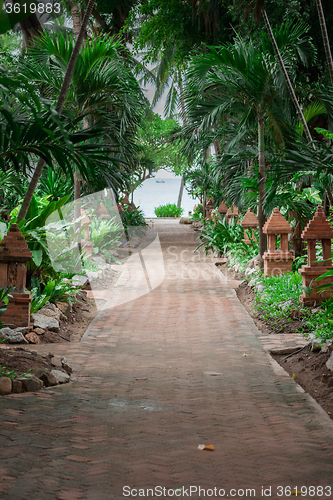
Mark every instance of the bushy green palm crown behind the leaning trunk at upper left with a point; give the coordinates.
(102, 88)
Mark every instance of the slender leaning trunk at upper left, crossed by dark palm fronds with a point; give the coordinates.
(60, 103)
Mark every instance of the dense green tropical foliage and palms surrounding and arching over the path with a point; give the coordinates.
(249, 112)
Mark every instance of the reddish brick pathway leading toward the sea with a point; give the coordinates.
(156, 377)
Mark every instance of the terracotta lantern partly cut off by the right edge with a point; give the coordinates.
(317, 229)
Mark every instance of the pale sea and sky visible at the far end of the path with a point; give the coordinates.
(152, 194)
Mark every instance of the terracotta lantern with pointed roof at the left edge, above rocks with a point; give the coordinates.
(14, 255)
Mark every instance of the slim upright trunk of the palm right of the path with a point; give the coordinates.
(262, 190)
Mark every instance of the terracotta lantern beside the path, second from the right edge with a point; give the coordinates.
(277, 260)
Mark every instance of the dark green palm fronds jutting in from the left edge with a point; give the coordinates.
(30, 129)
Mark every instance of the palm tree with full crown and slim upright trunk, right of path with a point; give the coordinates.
(242, 80)
